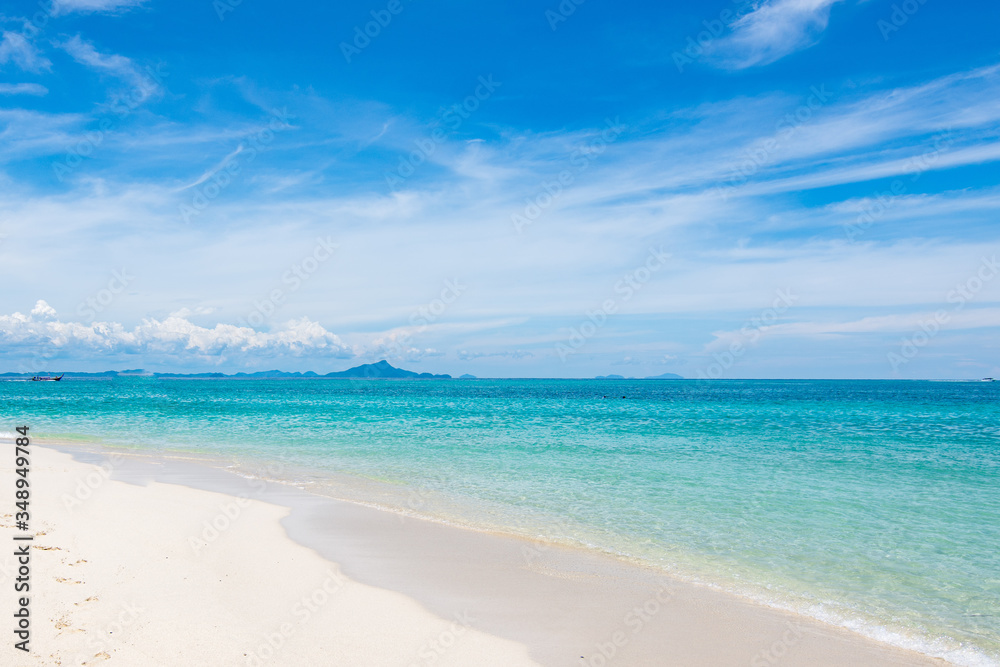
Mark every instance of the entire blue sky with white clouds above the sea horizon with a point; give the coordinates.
(763, 189)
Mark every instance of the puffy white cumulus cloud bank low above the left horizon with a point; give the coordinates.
(173, 335)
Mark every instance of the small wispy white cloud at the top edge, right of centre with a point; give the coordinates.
(772, 31)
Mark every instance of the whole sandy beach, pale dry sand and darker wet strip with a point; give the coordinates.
(168, 562)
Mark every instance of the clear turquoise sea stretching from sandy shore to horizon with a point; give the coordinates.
(870, 504)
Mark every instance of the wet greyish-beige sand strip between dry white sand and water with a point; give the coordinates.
(565, 606)
